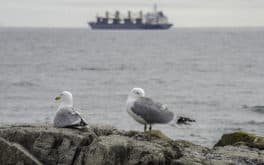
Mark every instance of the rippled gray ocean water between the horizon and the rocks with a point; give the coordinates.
(210, 74)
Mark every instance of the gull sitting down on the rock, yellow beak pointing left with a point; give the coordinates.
(66, 116)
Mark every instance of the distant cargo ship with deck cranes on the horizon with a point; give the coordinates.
(150, 20)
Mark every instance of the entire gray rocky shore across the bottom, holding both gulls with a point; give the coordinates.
(105, 145)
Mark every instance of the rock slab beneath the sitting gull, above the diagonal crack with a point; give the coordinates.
(49, 145)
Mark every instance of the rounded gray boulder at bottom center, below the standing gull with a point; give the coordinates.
(115, 149)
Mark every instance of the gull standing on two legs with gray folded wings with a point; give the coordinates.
(145, 111)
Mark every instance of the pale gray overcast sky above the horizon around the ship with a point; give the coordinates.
(183, 13)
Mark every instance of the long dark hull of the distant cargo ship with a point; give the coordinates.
(129, 26)
